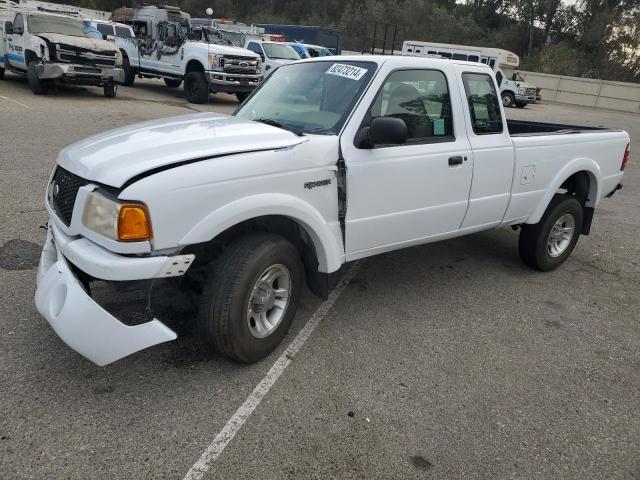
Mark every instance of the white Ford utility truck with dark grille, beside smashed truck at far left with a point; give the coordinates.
(162, 49)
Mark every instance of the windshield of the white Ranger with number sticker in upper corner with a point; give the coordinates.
(314, 97)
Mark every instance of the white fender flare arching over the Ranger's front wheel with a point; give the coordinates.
(328, 249)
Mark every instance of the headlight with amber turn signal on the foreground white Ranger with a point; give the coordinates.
(123, 222)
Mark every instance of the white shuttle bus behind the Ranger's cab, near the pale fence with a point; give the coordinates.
(514, 90)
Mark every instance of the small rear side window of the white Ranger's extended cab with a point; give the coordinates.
(484, 105)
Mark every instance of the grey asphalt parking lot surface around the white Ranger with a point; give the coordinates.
(451, 360)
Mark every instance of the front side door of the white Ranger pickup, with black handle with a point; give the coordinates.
(399, 195)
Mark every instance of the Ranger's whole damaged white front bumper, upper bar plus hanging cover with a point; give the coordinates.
(77, 319)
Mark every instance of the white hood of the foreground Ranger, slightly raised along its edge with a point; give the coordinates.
(113, 157)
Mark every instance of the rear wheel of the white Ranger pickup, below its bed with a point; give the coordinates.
(548, 243)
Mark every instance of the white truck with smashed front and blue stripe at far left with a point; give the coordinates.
(55, 47)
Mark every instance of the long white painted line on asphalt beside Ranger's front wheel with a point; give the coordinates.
(213, 451)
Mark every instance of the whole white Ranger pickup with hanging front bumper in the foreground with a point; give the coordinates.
(330, 160)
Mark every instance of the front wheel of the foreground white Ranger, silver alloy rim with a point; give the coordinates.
(250, 296)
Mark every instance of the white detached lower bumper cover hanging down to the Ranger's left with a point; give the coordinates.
(83, 324)
